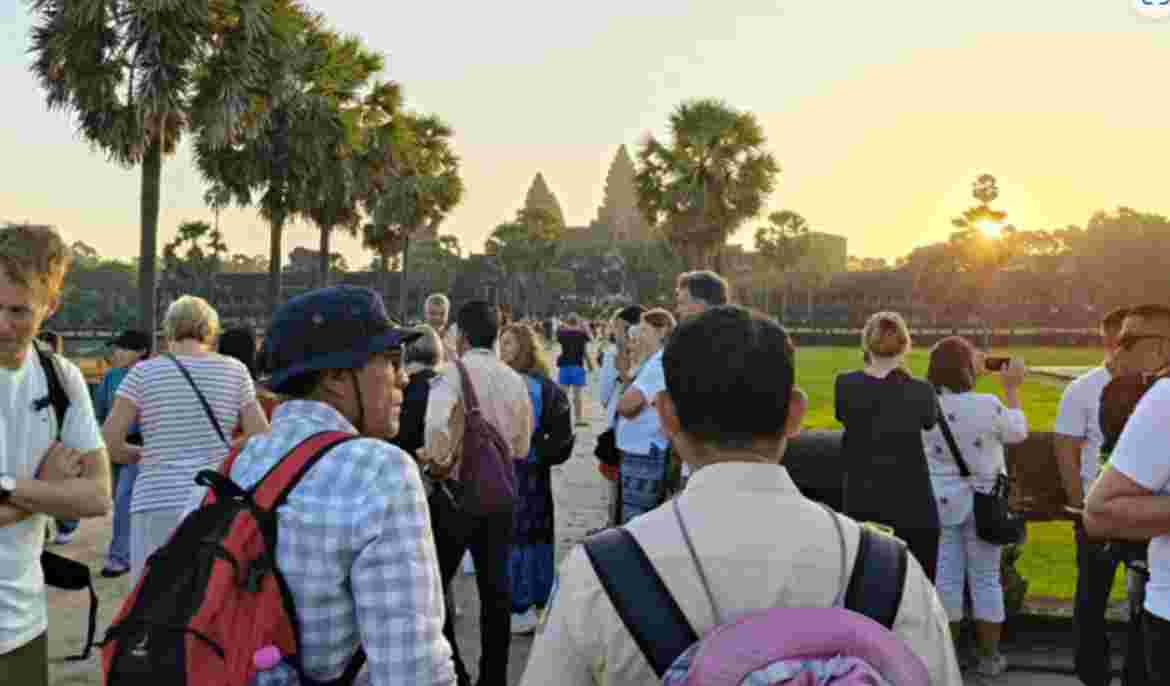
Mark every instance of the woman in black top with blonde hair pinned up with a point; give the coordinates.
(885, 411)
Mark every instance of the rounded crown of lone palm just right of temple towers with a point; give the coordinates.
(713, 176)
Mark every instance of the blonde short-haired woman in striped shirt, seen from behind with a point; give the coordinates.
(180, 436)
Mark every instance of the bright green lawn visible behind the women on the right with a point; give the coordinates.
(1049, 559)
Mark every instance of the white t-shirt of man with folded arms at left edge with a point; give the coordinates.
(26, 436)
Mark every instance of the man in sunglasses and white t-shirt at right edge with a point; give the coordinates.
(1132, 499)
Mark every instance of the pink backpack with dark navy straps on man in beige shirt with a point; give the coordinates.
(849, 644)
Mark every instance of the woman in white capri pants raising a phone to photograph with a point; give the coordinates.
(982, 426)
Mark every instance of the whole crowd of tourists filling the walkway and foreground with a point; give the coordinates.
(457, 428)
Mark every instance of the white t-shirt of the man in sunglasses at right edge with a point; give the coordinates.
(1144, 455)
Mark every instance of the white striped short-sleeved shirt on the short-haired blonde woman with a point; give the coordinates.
(178, 438)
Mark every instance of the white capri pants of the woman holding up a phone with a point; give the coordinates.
(965, 558)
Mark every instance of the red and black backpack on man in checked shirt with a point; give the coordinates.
(211, 599)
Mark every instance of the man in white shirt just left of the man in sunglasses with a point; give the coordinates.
(1078, 443)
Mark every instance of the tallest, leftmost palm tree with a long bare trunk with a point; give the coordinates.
(140, 74)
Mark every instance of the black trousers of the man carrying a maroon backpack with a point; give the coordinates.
(490, 540)
